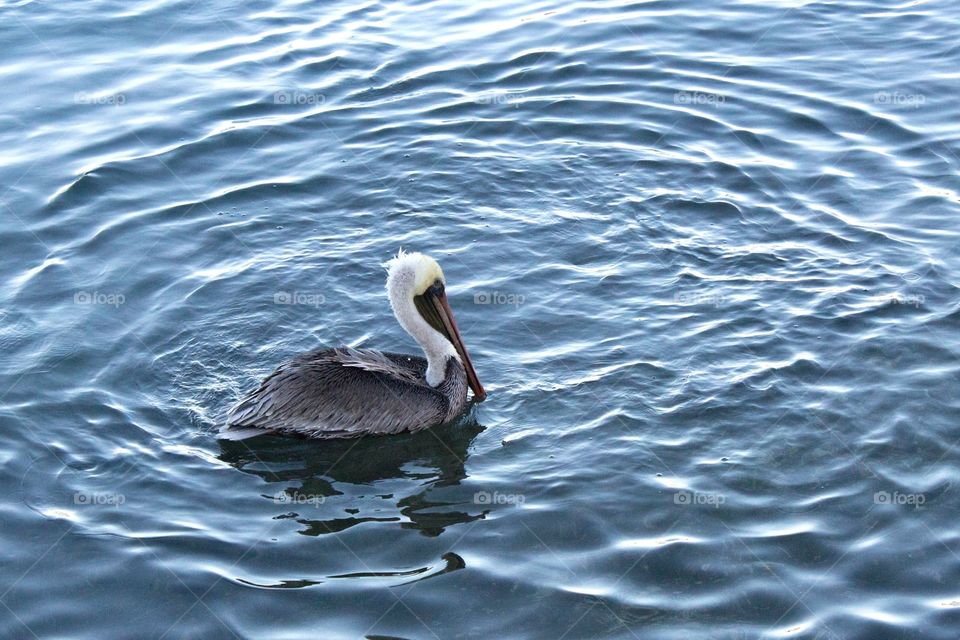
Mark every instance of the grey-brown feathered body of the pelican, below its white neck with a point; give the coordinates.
(336, 393)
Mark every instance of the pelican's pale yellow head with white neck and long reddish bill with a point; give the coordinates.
(417, 290)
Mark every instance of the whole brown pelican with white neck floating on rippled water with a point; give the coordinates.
(347, 392)
